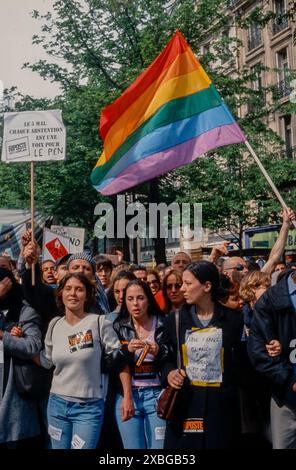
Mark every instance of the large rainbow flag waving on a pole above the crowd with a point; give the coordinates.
(168, 117)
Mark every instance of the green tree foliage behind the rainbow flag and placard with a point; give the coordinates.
(105, 45)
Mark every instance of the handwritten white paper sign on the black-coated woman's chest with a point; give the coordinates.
(204, 355)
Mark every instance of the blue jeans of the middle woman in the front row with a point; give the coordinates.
(145, 430)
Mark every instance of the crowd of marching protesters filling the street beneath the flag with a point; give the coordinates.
(107, 335)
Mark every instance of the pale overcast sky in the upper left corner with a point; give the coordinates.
(16, 31)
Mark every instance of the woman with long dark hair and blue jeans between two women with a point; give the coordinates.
(140, 329)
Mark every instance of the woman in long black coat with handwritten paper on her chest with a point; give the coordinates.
(207, 412)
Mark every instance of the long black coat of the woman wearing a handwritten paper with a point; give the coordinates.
(216, 406)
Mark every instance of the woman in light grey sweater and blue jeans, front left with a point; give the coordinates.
(73, 345)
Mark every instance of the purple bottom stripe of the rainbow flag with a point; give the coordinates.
(174, 157)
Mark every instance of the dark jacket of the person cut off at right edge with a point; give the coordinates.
(275, 318)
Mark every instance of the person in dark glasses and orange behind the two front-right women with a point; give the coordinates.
(172, 293)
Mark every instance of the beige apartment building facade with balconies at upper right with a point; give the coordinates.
(272, 47)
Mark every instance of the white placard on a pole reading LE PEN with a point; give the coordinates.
(34, 136)
